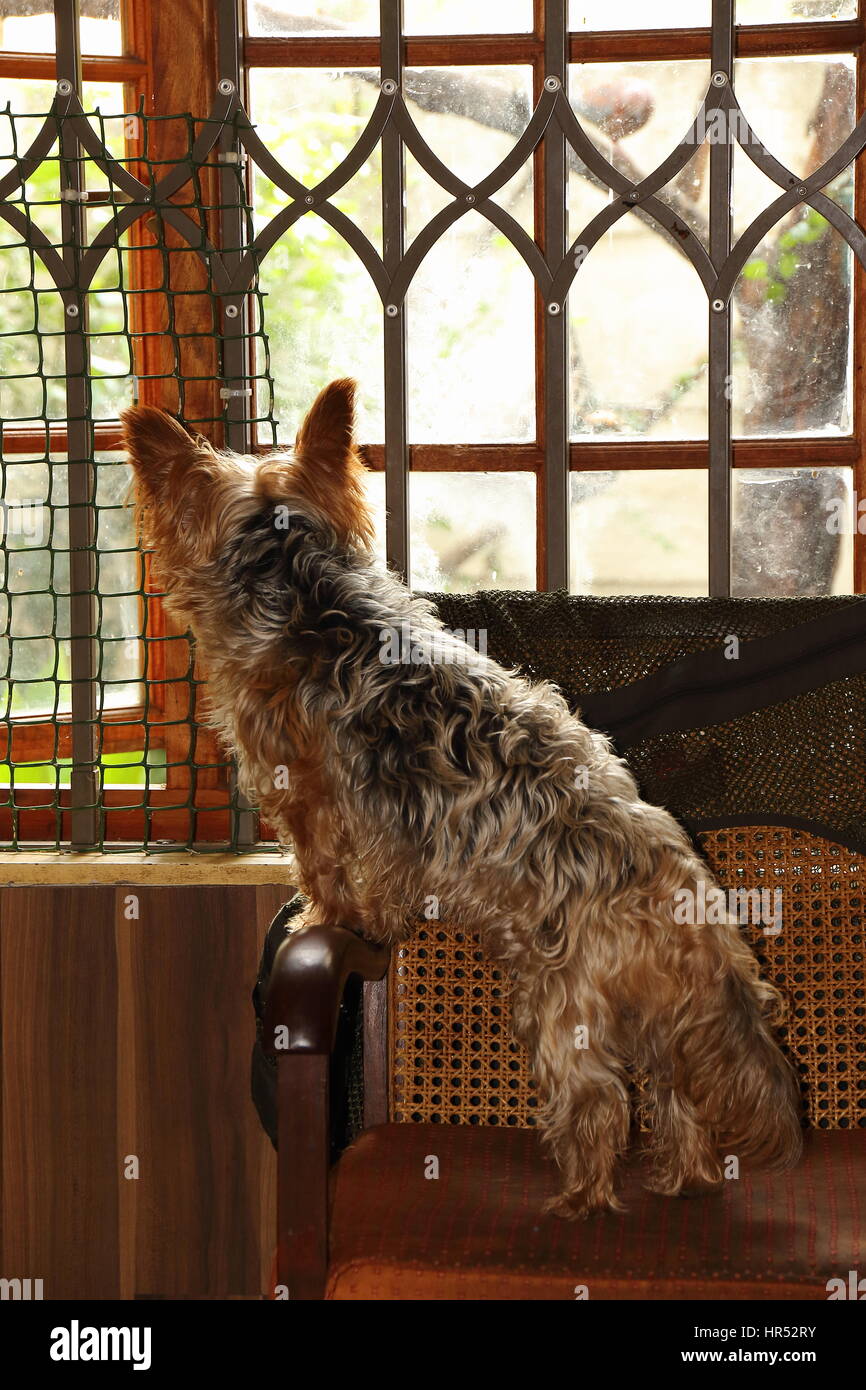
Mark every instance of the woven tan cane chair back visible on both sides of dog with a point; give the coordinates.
(452, 1058)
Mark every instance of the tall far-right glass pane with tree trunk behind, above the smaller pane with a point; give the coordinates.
(793, 305)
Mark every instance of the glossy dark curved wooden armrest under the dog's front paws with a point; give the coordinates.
(308, 983)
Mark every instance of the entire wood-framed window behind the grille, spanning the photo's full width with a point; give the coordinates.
(561, 384)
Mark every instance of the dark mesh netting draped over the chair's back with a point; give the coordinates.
(728, 711)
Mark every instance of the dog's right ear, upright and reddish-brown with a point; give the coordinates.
(327, 469)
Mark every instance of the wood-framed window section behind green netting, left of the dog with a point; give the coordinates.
(101, 739)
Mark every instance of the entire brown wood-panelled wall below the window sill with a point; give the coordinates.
(133, 1038)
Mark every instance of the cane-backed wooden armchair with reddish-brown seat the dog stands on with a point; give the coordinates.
(441, 1193)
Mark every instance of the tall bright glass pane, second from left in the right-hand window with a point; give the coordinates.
(473, 294)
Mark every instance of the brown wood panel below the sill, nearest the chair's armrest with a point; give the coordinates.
(198, 1220)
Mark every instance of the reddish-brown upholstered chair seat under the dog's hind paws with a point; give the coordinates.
(476, 1232)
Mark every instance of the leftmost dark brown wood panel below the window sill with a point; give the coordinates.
(60, 1175)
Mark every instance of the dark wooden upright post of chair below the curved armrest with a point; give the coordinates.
(302, 1175)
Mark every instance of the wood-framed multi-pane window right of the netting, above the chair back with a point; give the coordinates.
(494, 384)
